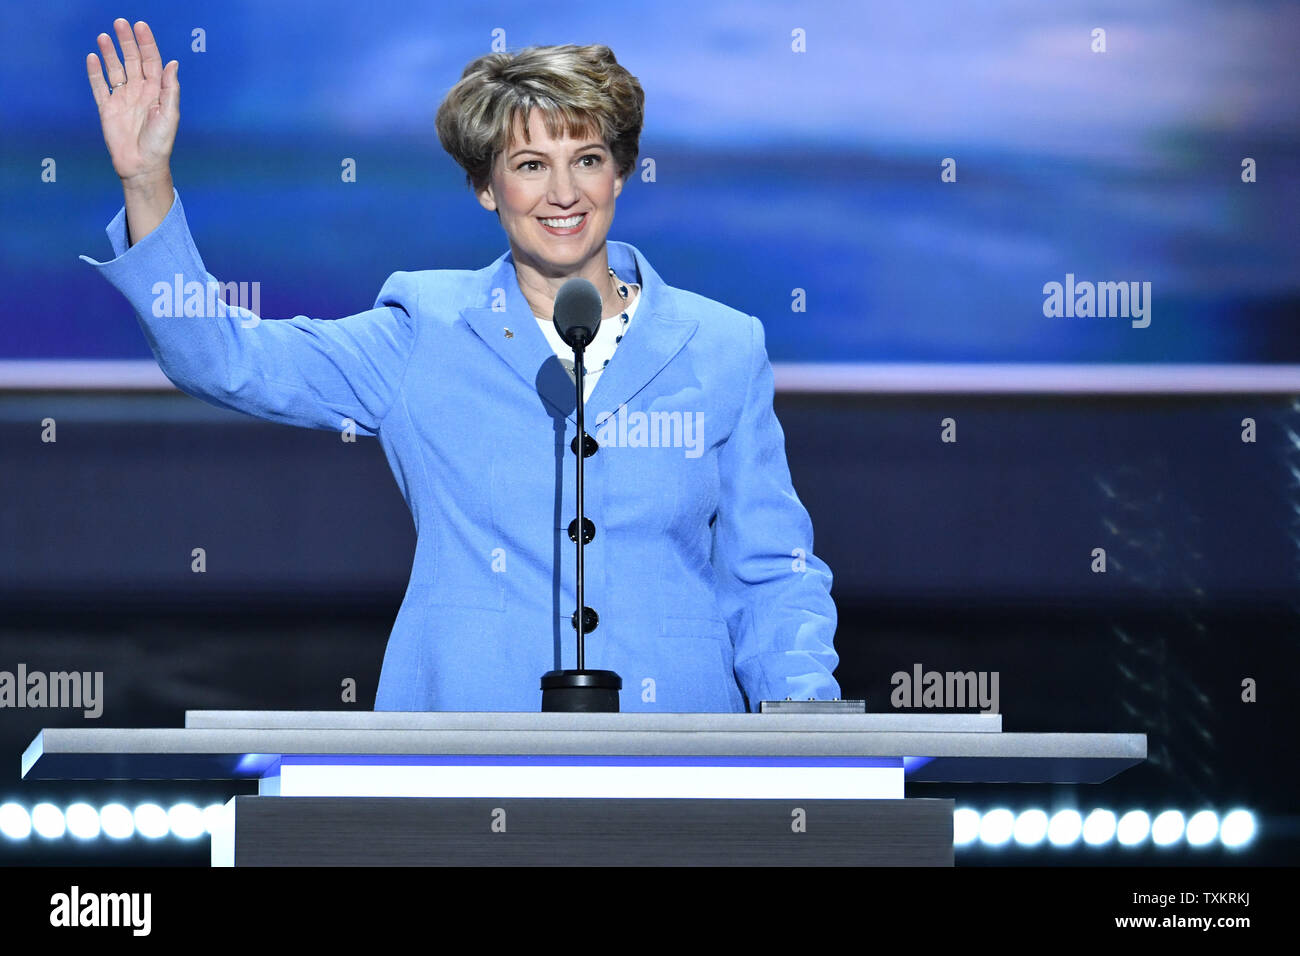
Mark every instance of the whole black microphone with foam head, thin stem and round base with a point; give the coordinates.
(578, 319)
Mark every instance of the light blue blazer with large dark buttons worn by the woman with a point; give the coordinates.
(701, 570)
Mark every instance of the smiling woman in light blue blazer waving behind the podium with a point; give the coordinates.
(700, 570)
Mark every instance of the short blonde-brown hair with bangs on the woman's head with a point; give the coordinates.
(582, 90)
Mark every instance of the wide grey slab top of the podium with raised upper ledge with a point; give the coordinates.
(244, 745)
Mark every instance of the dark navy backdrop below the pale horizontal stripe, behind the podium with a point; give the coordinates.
(972, 556)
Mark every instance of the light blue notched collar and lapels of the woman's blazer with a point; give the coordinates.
(656, 335)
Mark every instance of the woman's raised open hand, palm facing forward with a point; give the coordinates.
(140, 106)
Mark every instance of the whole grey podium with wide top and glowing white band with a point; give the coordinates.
(339, 789)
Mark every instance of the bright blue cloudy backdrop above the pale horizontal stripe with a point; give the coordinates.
(775, 171)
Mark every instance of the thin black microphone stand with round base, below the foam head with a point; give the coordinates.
(582, 690)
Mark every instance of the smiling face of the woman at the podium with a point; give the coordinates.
(539, 187)
